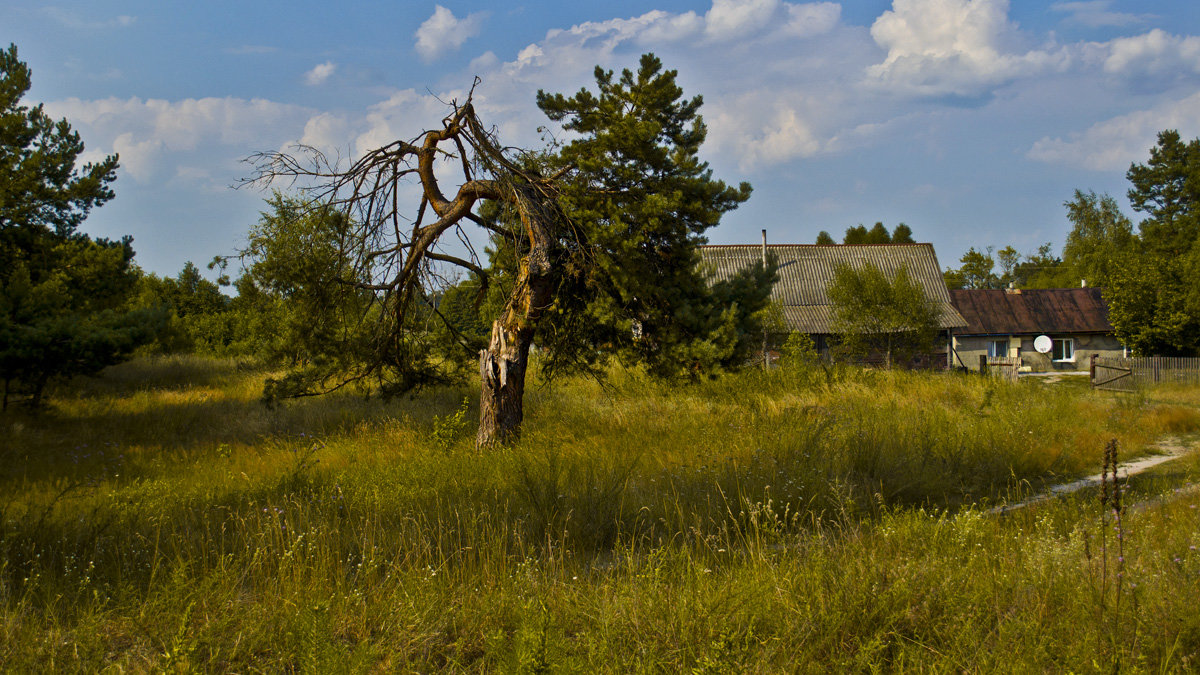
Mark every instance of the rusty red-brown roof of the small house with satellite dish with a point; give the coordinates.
(1035, 312)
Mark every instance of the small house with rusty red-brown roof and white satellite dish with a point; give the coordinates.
(1006, 324)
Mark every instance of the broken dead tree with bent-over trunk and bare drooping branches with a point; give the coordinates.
(397, 255)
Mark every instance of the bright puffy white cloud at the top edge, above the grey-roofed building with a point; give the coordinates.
(951, 47)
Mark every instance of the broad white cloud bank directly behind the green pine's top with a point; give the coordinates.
(754, 114)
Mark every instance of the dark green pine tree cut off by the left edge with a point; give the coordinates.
(62, 295)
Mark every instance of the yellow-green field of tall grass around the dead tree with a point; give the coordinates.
(160, 518)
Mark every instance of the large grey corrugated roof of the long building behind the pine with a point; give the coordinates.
(807, 270)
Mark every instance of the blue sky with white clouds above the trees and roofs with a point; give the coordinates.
(969, 121)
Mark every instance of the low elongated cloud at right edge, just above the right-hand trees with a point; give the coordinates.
(1113, 145)
